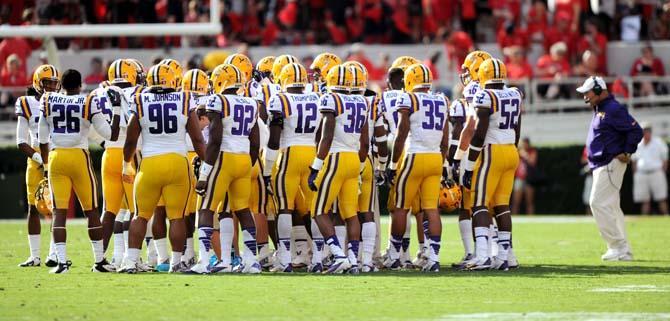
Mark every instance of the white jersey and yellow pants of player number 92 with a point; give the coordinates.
(231, 174)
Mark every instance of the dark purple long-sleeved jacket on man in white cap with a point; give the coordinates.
(613, 131)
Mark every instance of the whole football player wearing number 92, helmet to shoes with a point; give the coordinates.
(232, 151)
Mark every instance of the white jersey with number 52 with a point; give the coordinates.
(505, 107)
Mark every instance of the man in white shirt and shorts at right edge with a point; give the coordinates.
(650, 163)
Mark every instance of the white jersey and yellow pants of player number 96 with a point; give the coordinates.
(164, 172)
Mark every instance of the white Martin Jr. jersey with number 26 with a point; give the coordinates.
(68, 118)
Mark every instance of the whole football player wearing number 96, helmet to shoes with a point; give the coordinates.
(161, 117)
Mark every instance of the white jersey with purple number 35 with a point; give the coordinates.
(427, 117)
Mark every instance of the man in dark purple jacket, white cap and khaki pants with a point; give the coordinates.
(613, 137)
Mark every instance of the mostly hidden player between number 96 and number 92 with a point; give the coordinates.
(196, 83)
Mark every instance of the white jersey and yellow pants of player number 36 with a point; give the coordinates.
(340, 173)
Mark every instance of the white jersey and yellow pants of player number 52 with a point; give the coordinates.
(493, 175)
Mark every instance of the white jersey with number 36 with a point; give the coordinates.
(350, 114)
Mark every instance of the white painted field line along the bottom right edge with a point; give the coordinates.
(556, 316)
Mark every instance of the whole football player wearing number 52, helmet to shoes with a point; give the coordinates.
(496, 136)
